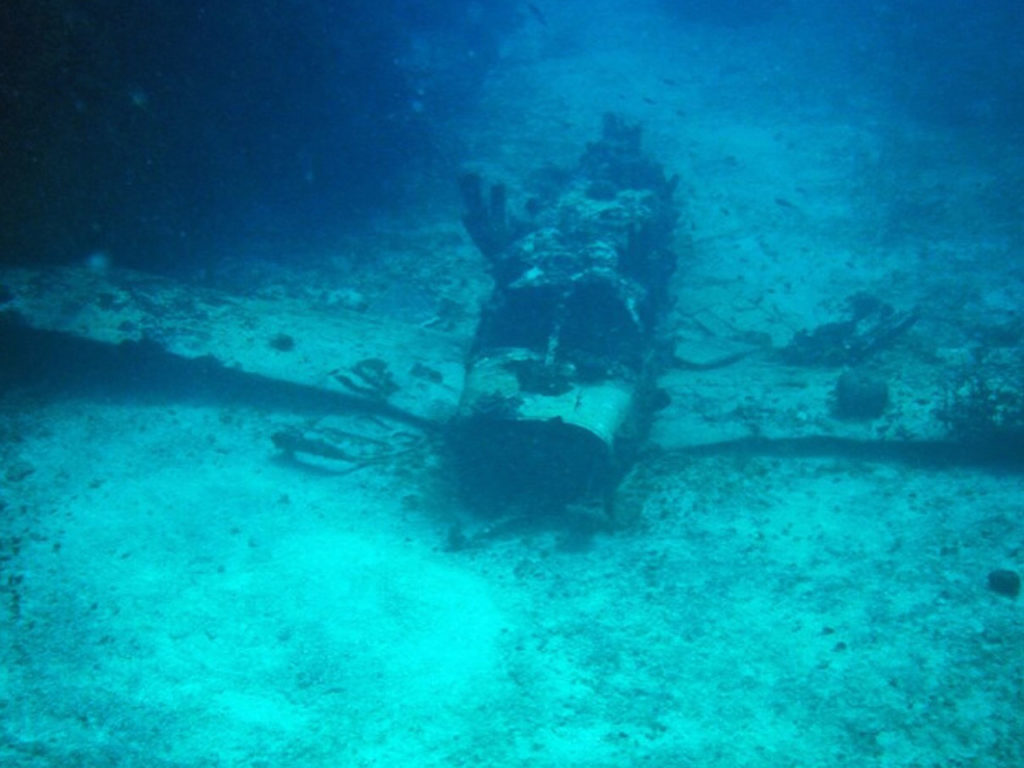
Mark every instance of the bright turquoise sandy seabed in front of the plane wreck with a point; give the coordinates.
(174, 595)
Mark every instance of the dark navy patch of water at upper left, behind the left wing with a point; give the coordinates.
(156, 132)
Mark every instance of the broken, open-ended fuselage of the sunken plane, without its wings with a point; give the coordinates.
(563, 356)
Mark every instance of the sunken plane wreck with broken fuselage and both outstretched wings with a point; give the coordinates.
(572, 367)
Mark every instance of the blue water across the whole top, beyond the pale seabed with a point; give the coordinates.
(155, 133)
